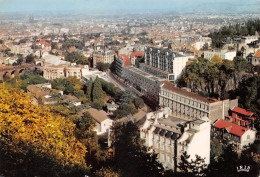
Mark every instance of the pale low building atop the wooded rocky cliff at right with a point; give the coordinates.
(223, 54)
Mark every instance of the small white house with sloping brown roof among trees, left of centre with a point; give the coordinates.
(103, 122)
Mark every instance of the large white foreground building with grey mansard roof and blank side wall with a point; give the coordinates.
(170, 137)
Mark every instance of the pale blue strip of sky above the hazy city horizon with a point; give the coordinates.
(130, 5)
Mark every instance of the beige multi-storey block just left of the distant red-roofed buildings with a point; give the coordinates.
(103, 56)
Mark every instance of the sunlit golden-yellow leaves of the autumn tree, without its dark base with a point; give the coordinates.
(37, 128)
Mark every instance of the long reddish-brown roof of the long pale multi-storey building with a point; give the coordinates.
(170, 86)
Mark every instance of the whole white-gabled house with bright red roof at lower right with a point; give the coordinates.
(237, 135)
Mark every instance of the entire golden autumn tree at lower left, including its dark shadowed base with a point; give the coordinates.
(34, 142)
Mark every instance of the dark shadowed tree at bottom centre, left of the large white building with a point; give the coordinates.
(131, 157)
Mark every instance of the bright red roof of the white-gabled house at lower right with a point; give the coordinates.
(230, 127)
